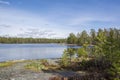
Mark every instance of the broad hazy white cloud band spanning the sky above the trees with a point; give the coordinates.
(28, 24)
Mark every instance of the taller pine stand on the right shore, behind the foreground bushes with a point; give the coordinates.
(91, 37)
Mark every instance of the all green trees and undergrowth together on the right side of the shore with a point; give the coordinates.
(99, 54)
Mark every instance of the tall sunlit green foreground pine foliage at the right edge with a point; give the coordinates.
(107, 48)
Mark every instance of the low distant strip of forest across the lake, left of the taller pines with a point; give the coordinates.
(12, 40)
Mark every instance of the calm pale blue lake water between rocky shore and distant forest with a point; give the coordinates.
(31, 51)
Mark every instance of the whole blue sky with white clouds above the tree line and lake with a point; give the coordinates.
(56, 18)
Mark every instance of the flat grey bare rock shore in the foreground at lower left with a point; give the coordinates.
(17, 71)
